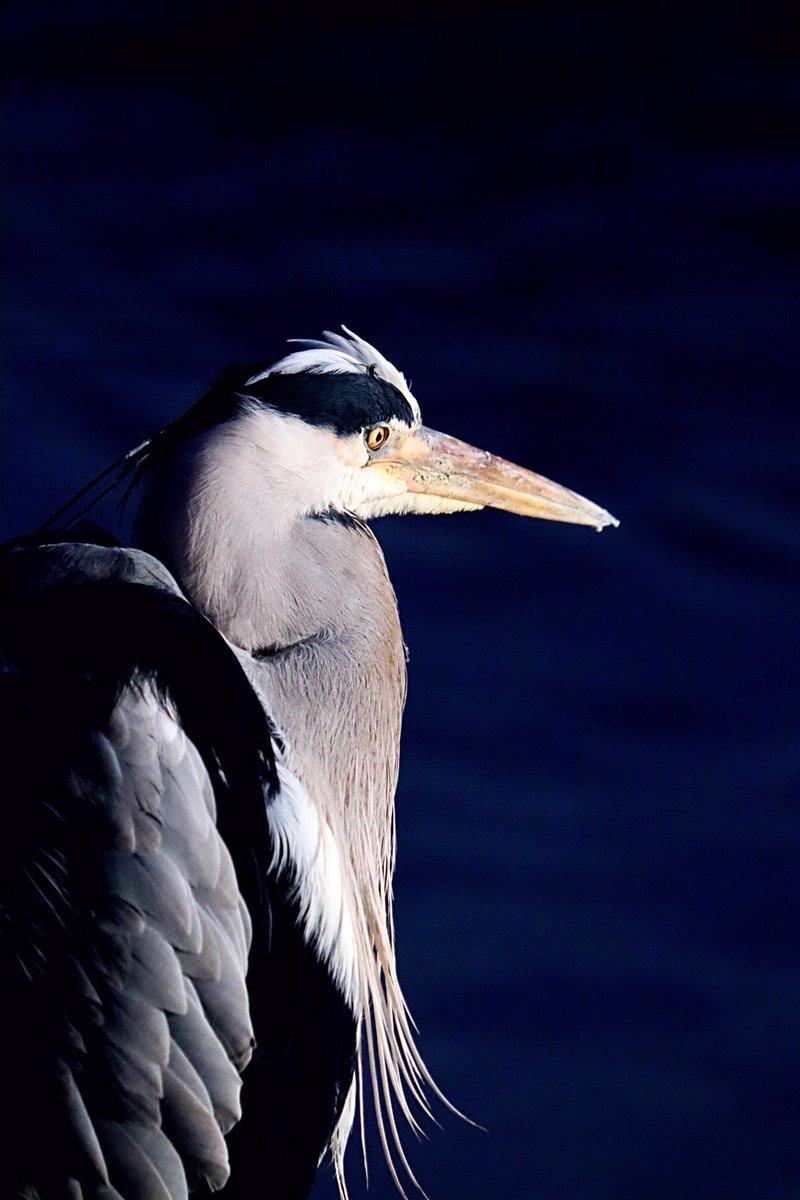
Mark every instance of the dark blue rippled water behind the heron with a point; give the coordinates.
(574, 227)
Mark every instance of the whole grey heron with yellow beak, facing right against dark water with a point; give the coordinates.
(202, 741)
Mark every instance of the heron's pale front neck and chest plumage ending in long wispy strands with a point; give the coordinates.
(345, 680)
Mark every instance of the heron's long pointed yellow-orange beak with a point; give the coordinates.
(437, 465)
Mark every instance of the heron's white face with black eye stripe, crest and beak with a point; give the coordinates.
(353, 429)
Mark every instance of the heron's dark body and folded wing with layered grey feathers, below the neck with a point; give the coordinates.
(148, 940)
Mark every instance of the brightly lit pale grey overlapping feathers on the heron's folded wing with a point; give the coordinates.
(171, 926)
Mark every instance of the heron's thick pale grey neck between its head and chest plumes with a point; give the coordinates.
(311, 601)
